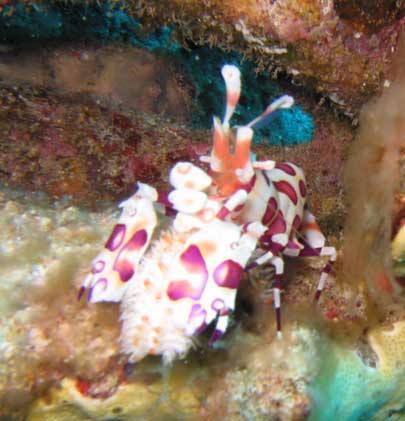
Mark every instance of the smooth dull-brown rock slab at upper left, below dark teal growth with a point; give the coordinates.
(131, 77)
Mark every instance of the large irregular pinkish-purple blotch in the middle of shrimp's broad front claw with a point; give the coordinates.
(193, 264)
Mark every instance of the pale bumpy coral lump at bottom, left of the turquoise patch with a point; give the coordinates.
(270, 379)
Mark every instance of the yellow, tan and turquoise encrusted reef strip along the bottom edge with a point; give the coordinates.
(308, 375)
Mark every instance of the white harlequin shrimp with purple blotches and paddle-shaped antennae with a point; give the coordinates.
(176, 274)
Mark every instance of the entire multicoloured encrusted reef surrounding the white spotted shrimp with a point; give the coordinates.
(97, 96)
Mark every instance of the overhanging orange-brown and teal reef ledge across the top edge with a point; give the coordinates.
(337, 48)
